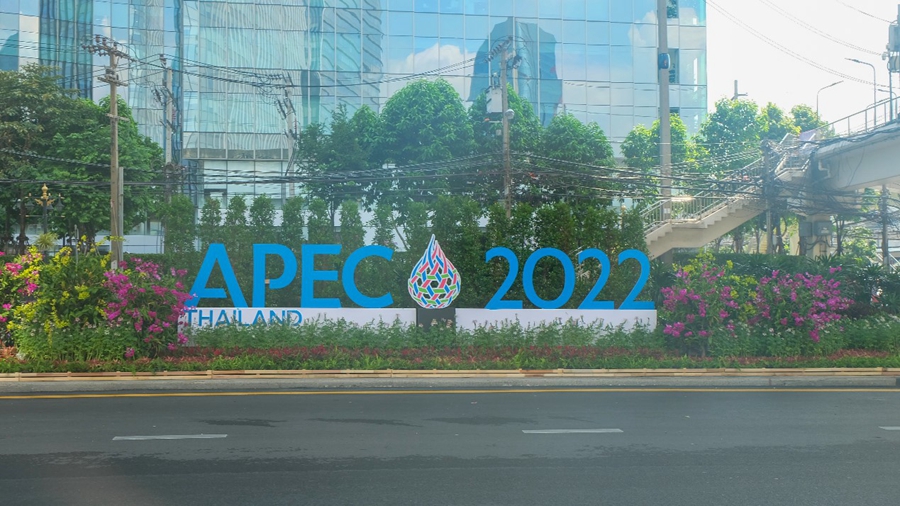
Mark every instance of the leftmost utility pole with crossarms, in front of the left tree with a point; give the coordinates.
(106, 47)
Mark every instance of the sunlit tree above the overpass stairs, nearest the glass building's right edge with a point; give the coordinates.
(730, 135)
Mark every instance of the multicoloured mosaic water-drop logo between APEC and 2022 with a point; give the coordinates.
(434, 282)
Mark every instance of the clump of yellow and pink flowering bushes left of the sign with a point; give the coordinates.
(74, 307)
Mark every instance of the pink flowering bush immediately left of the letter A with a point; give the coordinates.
(149, 303)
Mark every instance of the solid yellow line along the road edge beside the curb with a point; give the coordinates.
(444, 392)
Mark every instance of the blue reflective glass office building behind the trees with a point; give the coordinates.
(247, 71)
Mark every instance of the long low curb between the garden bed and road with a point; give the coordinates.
(223, 381)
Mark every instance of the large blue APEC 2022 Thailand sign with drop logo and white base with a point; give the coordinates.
(434, 283)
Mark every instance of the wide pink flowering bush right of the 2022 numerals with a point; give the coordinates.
(710, 310)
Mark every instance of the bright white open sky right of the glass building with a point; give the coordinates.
(768, 74)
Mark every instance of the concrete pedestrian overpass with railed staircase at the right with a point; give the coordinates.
(816, 174)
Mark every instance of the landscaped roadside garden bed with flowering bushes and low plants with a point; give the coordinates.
(70, 314)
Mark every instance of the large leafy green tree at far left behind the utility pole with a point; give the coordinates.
(36, 114)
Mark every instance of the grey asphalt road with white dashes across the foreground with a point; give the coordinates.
(467, 448)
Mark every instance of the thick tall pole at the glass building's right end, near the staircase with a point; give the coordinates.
(665, 132)
